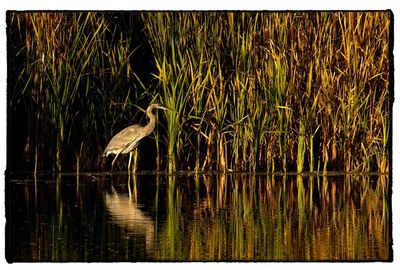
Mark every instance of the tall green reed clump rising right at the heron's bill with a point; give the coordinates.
(173, 67)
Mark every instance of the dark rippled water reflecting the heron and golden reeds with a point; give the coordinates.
(234, 217)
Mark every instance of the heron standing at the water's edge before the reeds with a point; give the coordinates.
(127, 139)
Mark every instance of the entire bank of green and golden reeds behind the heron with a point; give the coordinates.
(250, 91)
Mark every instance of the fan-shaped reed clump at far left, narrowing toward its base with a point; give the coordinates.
(62, 59)
